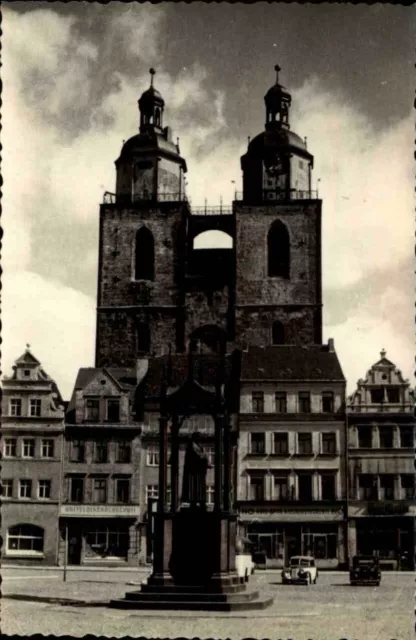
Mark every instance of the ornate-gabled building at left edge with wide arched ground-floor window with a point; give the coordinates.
(32, 437)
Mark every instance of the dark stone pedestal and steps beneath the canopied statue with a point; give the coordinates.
(200, 572)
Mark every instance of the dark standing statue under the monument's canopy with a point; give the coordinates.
(194, 473)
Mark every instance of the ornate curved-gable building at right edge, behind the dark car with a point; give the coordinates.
(381, 445)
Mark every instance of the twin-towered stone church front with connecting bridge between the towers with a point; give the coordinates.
(157, 292)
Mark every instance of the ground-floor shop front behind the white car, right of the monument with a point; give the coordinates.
(282, 533)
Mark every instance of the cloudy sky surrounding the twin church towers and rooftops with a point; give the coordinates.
(72, 75)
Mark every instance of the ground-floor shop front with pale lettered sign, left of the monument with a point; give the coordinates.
(100, 538)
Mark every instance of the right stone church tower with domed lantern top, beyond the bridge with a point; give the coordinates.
(278, 236)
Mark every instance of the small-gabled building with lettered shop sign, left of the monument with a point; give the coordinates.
(100, 508)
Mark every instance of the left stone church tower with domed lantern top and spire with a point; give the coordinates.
(141, 238)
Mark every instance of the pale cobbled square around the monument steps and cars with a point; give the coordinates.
(330, 610)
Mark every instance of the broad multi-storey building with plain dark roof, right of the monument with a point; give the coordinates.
(292, 453)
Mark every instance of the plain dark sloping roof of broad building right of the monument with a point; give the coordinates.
(291, 362)
